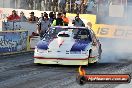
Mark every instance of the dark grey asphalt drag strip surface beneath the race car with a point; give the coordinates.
(19, 71)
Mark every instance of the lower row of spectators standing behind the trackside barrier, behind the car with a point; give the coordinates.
(38, 24)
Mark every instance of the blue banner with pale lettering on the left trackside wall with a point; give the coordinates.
(11, 42)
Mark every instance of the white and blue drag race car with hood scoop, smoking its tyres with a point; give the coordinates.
(68, 46)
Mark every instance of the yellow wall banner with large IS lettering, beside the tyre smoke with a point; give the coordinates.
(113, 31)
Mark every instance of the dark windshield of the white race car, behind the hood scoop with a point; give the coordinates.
(77, 32)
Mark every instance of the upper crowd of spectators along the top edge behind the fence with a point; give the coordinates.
(71, 6)
